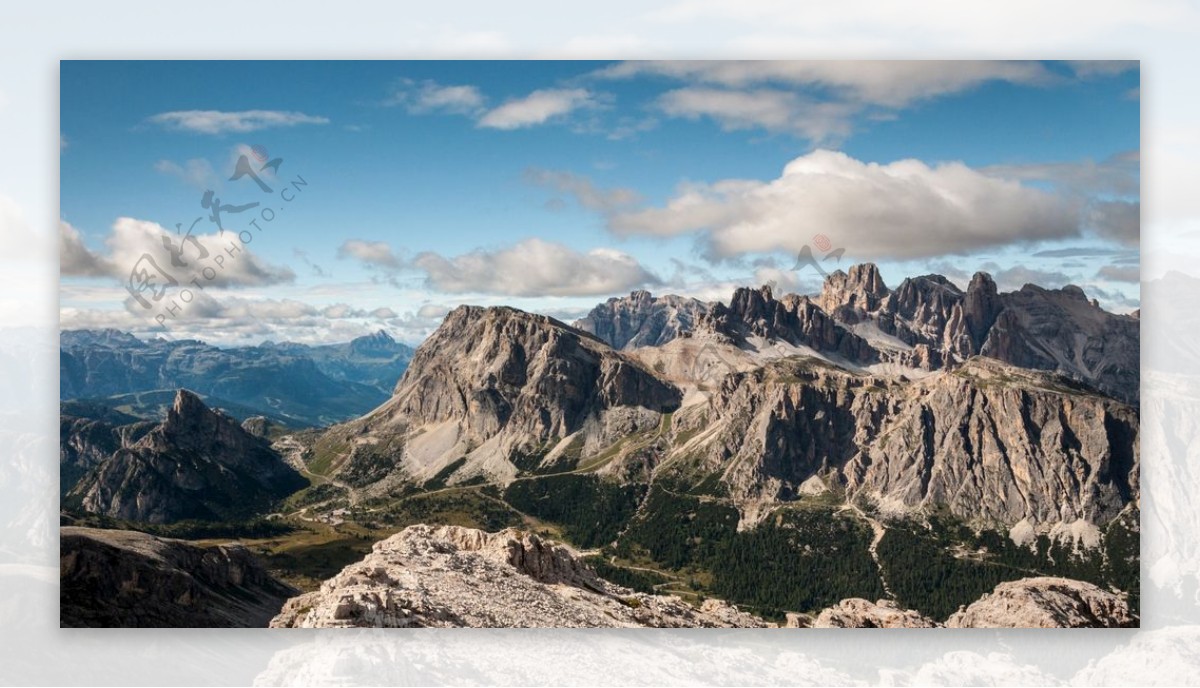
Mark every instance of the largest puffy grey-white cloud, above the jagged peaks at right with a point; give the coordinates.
(905, 210)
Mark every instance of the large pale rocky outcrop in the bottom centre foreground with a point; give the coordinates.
(453, 577)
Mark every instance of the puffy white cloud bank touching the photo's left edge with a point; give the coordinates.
(139, 244)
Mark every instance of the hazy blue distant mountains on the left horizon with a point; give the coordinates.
(292, 384)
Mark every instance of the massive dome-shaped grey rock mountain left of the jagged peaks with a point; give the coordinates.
(496, 387)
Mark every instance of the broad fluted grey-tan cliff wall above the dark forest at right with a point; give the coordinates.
(994, 444)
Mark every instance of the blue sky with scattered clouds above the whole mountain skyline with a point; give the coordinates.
(555, 186)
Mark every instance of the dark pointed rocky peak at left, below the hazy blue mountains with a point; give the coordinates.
(199, 464)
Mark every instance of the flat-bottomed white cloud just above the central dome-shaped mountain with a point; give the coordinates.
(536, 268)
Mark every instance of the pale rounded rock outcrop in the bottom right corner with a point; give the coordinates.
(1046, 603)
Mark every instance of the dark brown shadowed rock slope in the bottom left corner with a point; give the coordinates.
(135, 581)
